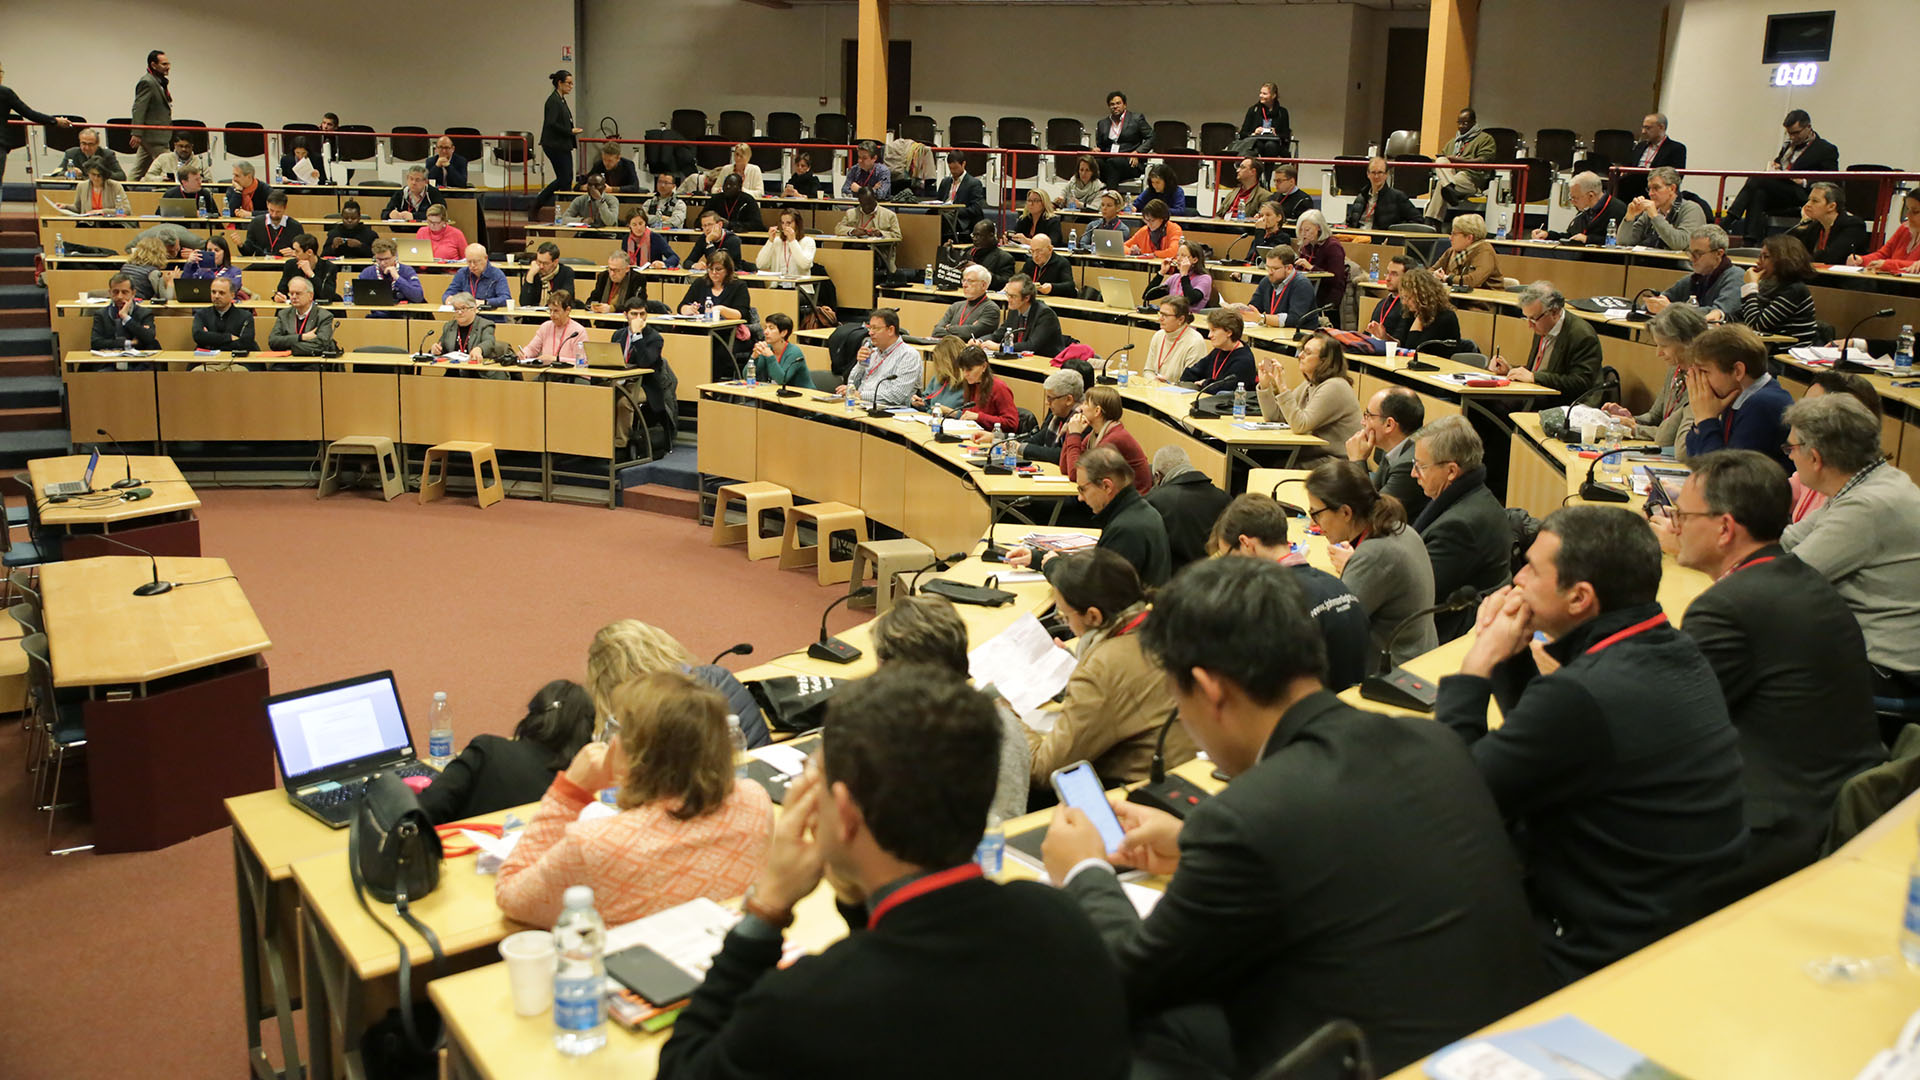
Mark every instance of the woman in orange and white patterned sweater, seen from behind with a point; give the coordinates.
(686, 827)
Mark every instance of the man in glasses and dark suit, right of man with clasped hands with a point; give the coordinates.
(1804, 699)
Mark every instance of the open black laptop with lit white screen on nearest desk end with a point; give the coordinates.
(333, 739)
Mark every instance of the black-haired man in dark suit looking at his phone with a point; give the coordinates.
(1270, 923)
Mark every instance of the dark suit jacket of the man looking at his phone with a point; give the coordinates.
(1274, 920)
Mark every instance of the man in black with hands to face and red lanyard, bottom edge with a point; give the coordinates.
(888, 816)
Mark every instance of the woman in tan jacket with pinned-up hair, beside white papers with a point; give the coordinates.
(1116, 699)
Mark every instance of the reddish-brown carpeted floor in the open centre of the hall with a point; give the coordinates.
(116, 966)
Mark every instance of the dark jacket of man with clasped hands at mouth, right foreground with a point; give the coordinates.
(1620, 775)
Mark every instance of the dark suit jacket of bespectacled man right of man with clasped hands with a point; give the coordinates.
(1802, 702)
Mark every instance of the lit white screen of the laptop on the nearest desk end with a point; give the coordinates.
(337, 724)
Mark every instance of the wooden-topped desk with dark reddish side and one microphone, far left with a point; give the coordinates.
(176, 685)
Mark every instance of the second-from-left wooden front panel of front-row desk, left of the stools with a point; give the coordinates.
(260, 406)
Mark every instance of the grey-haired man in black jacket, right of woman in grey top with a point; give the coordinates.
(1464, 526)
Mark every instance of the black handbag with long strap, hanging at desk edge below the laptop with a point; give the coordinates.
(395, 854)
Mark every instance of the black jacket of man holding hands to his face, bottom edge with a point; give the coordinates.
(911, 977)
